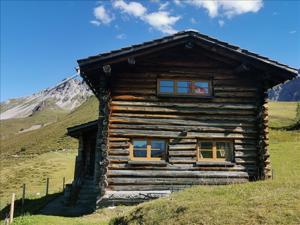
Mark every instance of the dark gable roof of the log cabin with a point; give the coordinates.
(284, 71)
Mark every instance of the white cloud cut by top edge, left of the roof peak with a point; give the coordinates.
(132, 8)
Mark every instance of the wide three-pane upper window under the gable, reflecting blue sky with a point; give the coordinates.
(184, 87)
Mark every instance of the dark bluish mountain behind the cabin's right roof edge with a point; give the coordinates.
(289, 91)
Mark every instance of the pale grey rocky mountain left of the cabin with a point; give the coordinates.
(67, 95)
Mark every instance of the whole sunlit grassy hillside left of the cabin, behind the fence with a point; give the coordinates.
(33, 156)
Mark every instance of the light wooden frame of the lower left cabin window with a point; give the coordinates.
(148, 148)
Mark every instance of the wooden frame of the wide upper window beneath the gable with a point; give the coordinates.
(176, 94)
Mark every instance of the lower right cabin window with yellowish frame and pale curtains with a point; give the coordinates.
(215, 150)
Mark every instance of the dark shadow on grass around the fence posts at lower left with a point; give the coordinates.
(31, 206)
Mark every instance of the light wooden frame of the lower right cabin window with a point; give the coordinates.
(214, 151)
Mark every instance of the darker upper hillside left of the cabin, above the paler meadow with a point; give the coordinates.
(51, 137)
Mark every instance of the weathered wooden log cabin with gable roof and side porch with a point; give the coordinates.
(182, 110)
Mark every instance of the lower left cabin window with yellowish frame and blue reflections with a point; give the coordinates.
(148, 149)
